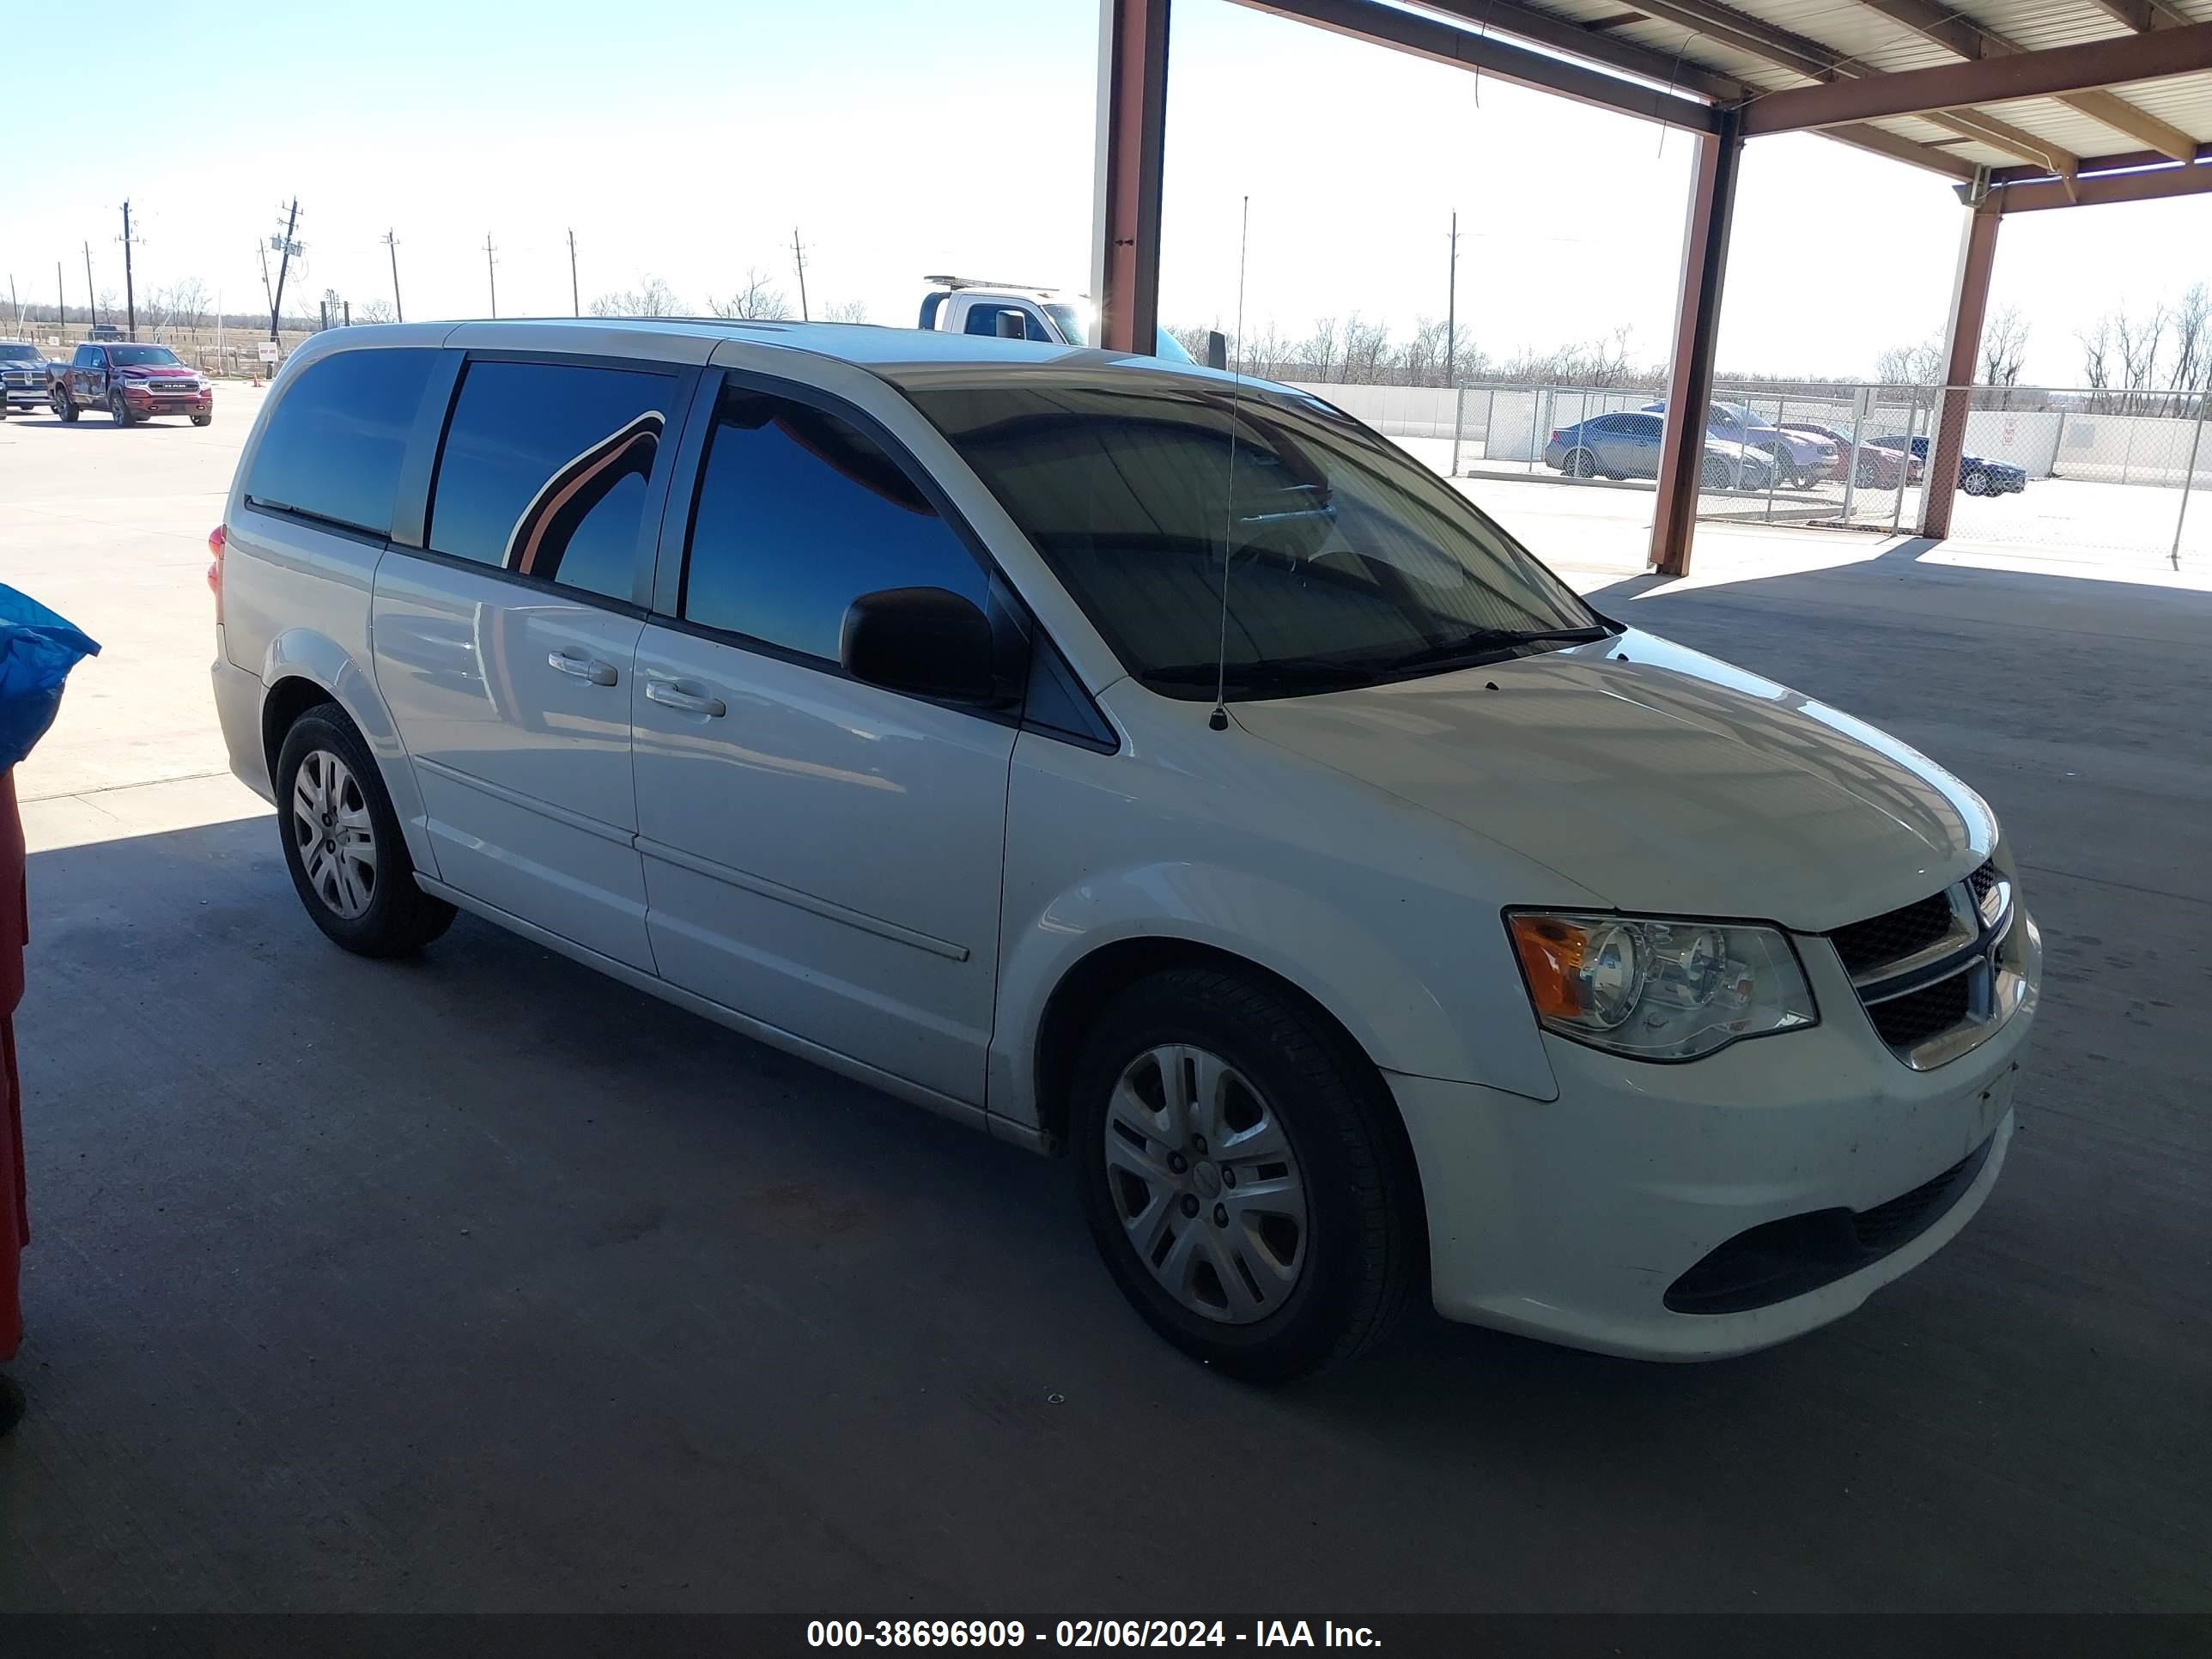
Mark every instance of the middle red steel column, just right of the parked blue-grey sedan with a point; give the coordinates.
(1698, 324)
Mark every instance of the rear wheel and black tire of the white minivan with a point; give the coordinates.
(371, 906)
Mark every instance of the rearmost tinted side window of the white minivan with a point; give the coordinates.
(337, 441)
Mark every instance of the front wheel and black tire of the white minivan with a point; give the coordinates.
(1322, 1253)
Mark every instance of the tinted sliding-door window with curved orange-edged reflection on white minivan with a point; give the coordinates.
(545, 472)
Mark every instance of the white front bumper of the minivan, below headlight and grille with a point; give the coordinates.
(1574, 1218)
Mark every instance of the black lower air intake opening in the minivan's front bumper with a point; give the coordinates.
(1799, 1255)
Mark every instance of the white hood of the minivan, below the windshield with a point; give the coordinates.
(1656, 778)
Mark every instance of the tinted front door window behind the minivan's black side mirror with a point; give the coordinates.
(802, 514)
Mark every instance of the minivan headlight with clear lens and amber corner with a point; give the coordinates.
(1660, 990)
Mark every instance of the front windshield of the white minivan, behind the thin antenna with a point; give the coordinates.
(1348, 561)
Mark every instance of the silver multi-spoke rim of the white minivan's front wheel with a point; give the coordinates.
(1207, 1185)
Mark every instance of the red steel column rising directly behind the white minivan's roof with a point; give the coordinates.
(1134, 121)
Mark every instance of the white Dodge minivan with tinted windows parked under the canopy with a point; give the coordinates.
(1140, 764)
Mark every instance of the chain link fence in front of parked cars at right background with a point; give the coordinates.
(2047, 470)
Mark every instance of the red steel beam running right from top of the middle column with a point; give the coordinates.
(1985, 81)
